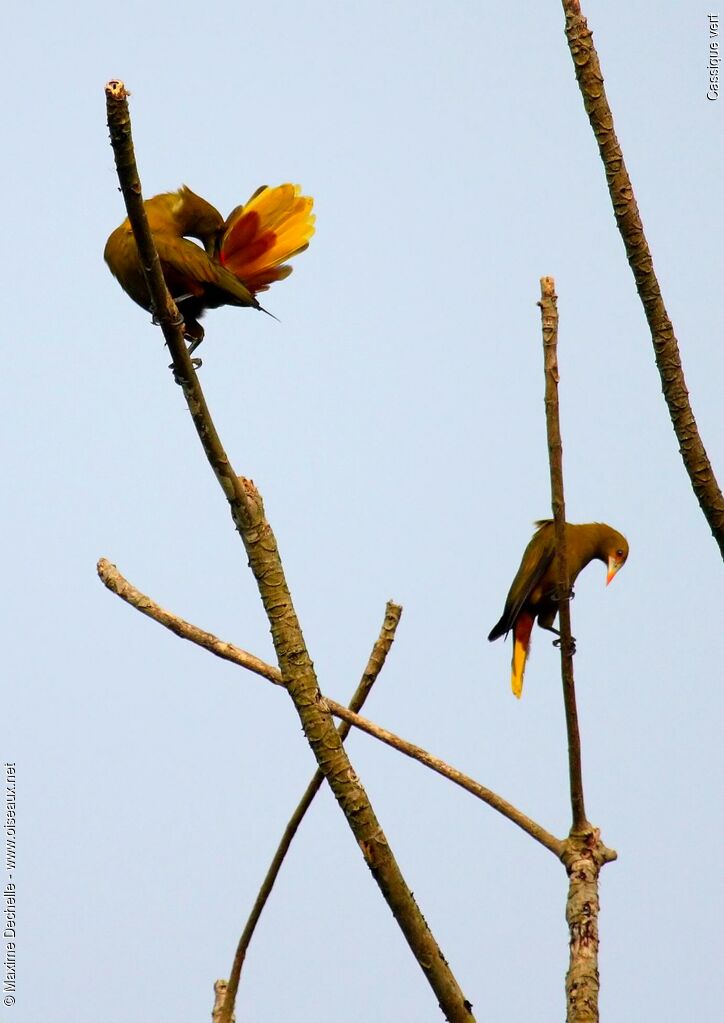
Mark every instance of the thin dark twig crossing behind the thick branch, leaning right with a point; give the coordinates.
(375, 666)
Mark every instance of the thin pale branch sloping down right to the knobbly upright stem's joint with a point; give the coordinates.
(111, 576)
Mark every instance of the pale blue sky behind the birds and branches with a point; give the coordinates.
(394, 424)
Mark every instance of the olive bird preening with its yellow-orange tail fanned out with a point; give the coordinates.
(242, 256)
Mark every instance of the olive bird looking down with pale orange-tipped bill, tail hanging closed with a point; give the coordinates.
(533, 594)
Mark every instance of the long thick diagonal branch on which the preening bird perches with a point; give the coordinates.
(295, 662)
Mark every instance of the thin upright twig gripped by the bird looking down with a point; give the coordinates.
(550, 321)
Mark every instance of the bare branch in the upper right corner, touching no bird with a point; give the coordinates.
(628, 218)
